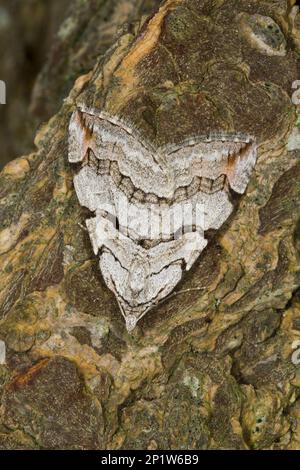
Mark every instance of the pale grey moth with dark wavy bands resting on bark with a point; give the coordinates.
(152, 206)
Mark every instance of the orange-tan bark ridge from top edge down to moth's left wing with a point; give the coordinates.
(126, 73)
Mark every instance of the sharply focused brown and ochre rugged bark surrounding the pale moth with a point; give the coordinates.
(216, 366)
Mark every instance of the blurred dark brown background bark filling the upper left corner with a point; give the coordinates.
(31, 32)
